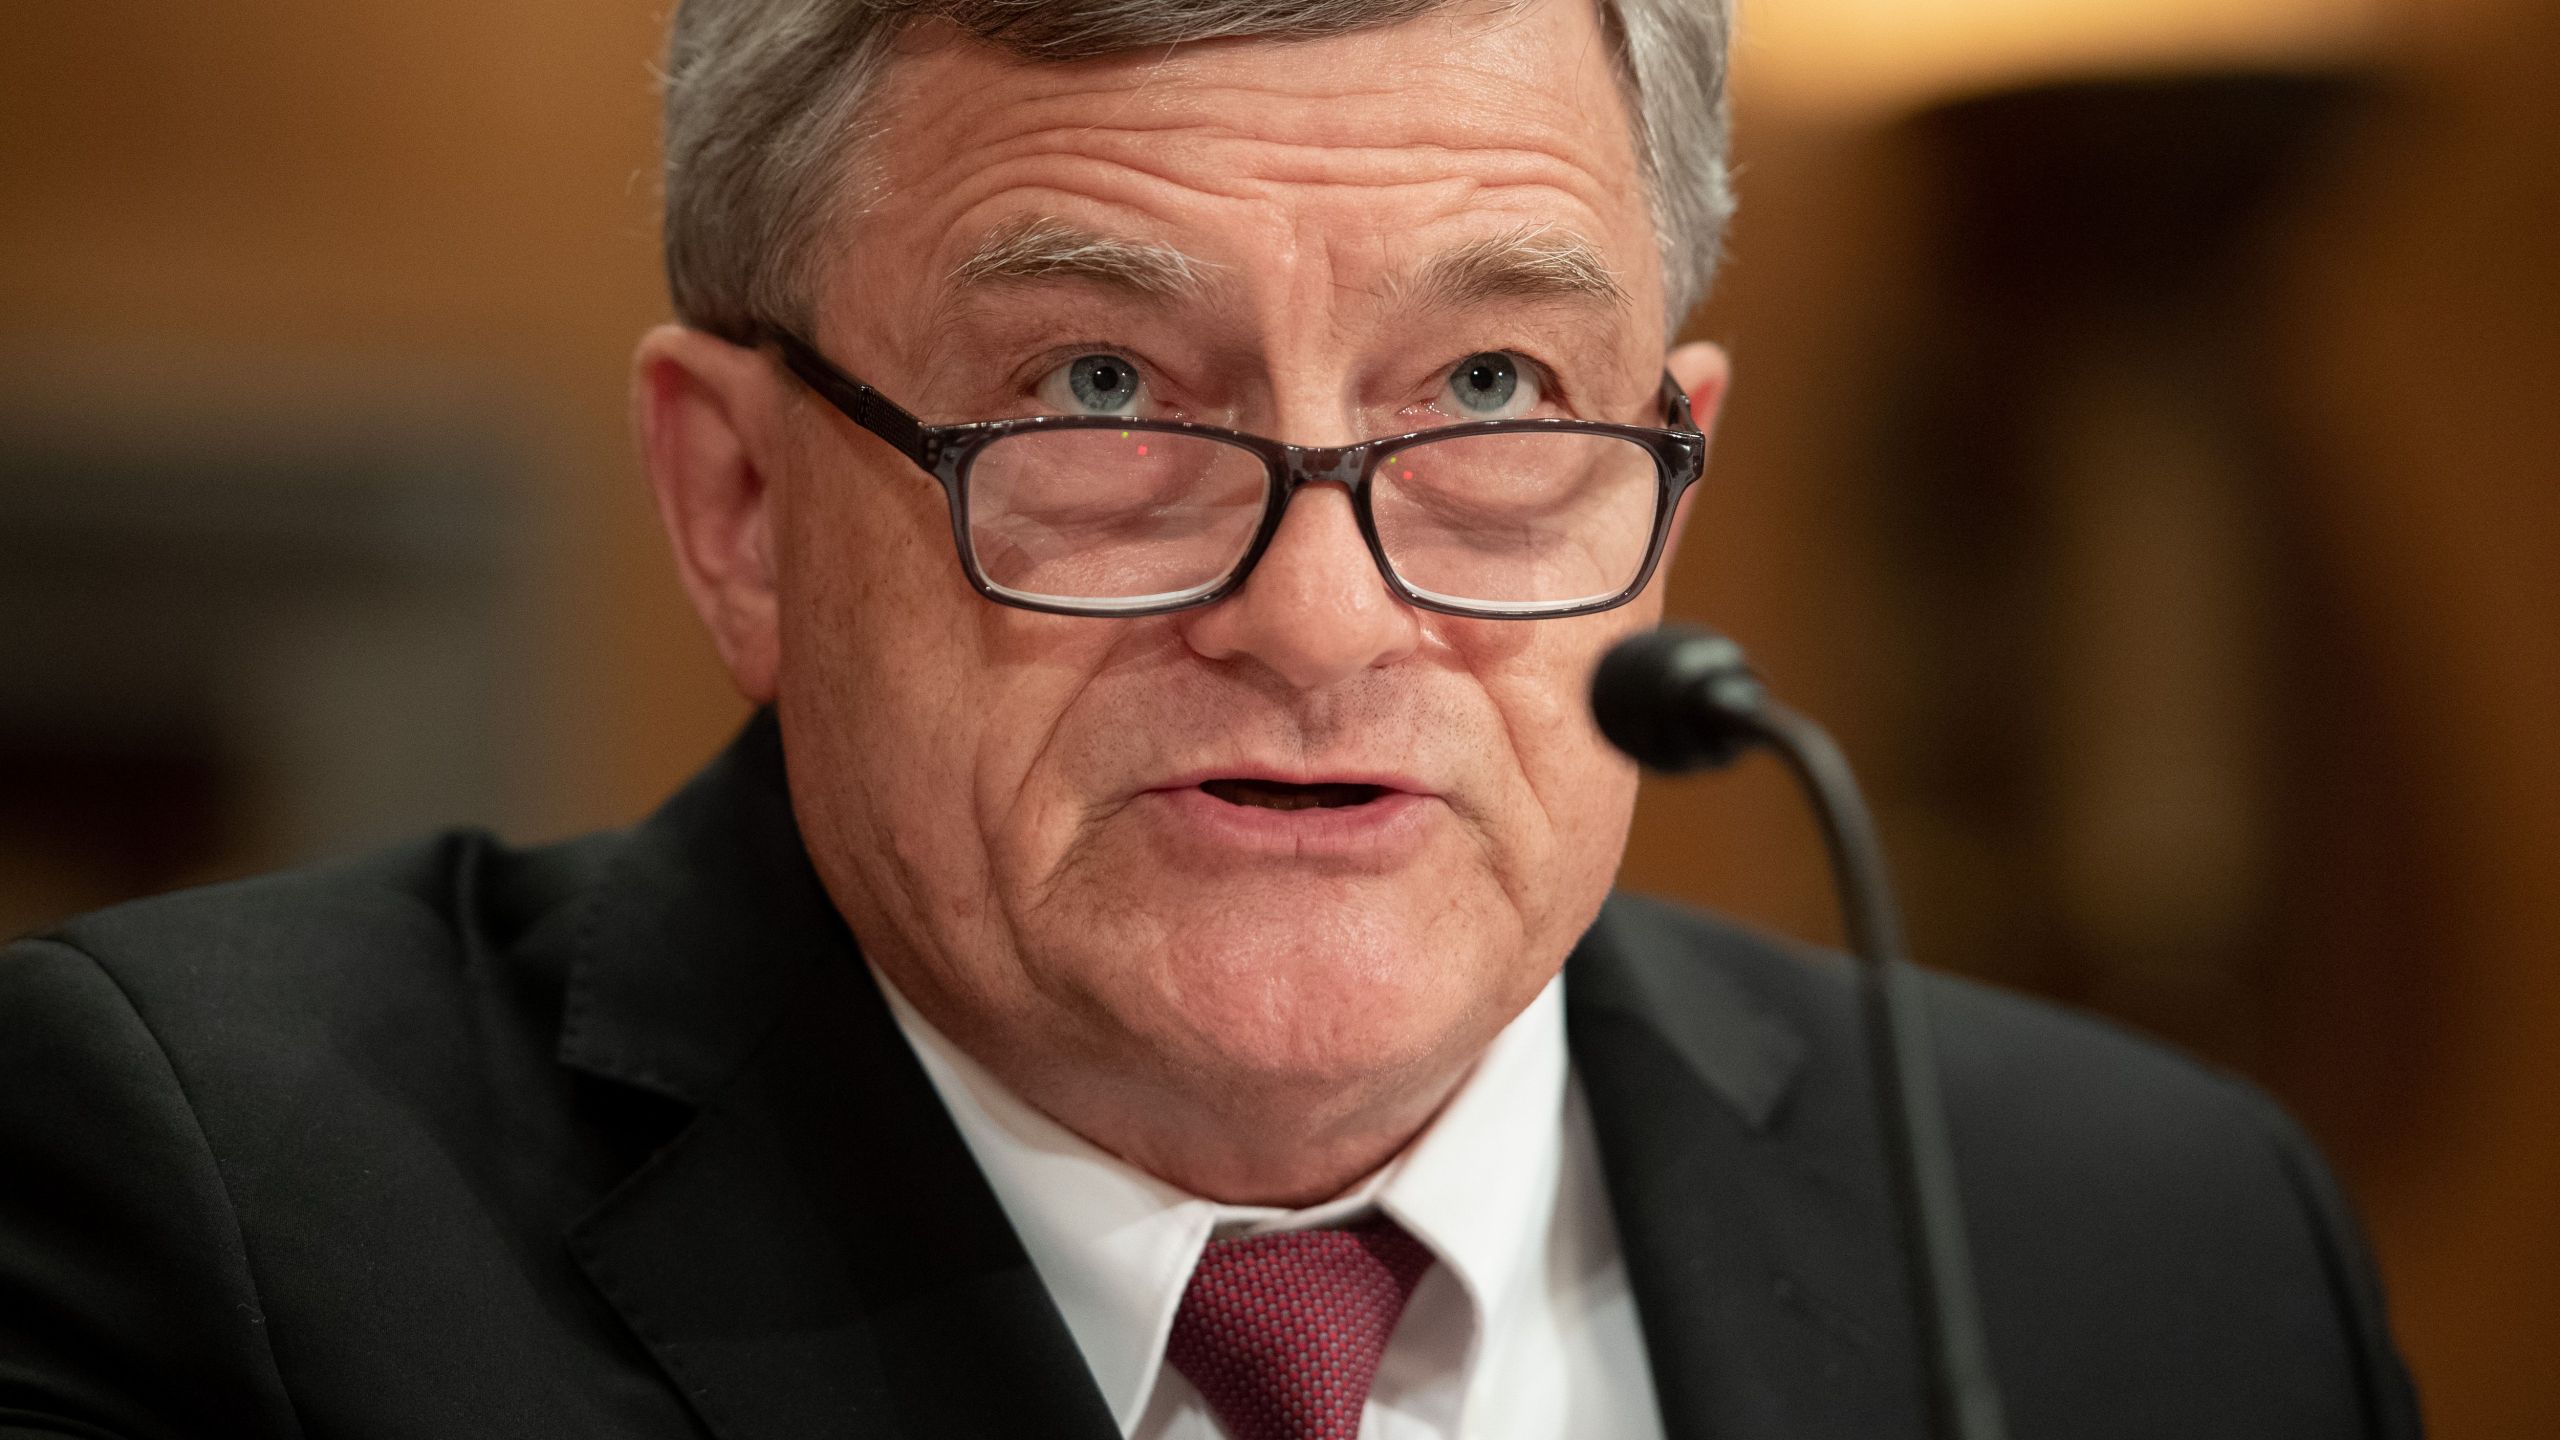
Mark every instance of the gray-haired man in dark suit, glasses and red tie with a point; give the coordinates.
(1115, 985)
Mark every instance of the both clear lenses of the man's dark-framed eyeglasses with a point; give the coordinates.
(1138, 519)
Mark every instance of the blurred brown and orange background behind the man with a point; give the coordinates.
(2144, 457)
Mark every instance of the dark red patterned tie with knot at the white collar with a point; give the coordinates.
(1284, 1334)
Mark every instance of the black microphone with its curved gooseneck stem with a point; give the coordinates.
(1681, 701)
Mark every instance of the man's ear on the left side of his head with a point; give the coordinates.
(710, 427)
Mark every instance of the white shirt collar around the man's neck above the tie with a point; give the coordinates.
(1117, 1247)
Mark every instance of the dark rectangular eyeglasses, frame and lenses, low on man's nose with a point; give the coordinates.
(1105, 516)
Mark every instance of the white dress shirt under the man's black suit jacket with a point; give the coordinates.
(1522, 1331)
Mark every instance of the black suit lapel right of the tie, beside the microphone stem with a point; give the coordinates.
(1747, 1190)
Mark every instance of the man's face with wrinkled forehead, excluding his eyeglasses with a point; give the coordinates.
(1076, 842)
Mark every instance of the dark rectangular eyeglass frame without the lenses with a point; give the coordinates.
(948, 452)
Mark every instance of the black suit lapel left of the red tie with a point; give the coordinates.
(815, 1254)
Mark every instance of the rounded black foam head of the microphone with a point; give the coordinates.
(1678, 701)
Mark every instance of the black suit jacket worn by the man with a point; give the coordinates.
(618, 1139)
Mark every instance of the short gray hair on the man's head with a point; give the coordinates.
(764, 99)
